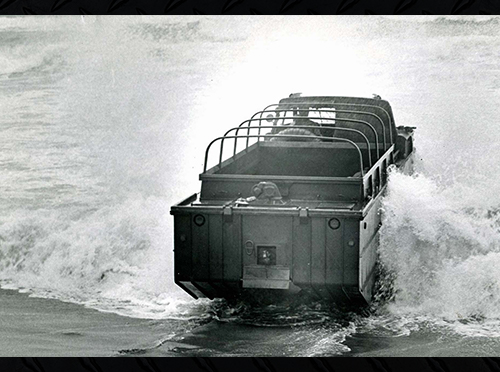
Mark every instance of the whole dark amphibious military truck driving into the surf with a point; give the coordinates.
(292, 203)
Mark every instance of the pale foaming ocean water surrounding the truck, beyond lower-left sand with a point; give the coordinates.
(103, 126)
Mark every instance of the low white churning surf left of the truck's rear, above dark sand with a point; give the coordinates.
(111, 258)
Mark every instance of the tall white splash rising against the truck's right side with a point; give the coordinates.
(440, 249)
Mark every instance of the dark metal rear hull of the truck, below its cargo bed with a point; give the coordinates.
(219, 258)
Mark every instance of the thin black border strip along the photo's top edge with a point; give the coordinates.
(250, 7)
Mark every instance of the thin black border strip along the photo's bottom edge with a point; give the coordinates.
(212, 364)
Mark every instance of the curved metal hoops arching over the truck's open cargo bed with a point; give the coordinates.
(373, 179)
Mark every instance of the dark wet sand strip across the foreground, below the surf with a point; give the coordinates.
(38, 327)
